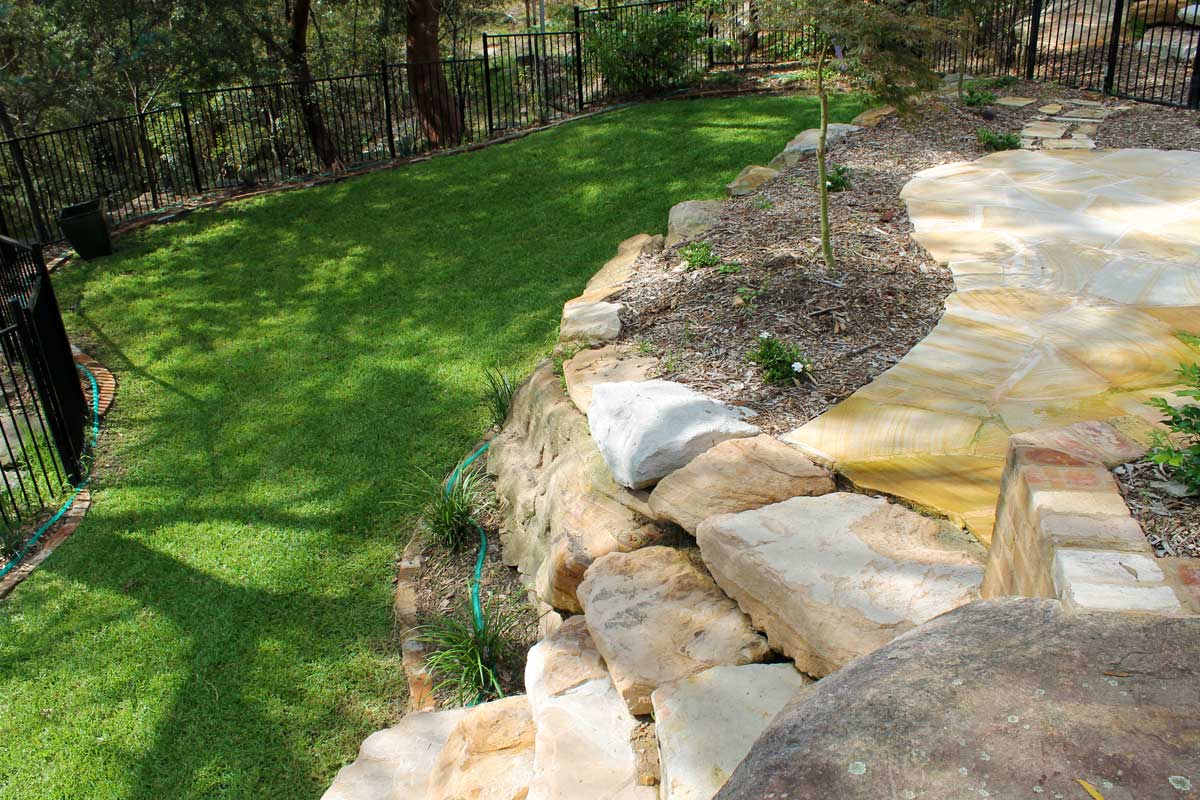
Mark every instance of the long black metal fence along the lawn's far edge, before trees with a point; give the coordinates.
(244, 136)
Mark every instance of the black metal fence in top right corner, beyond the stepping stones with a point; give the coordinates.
(1141, 50)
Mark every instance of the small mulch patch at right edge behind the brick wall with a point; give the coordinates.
(1172, 524)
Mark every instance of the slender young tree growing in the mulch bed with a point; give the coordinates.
(890, 43)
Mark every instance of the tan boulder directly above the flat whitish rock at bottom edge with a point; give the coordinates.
(657, 618)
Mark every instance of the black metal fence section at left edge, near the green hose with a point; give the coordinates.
(43, 407)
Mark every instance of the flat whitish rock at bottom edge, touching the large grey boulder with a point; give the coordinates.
(707, 724)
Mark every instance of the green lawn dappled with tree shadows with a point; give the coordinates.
(220, 625)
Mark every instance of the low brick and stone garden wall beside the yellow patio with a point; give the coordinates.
(1064, 530)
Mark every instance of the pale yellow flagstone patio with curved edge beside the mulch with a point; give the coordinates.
(1073, 270)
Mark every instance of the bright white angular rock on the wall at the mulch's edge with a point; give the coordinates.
(647, 430)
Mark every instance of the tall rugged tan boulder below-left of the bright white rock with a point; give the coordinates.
(560, 506)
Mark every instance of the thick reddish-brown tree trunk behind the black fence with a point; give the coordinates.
(441, 117)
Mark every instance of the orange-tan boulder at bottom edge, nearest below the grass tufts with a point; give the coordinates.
(489, 755)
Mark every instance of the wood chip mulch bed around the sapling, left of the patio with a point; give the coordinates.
(884, 298)
